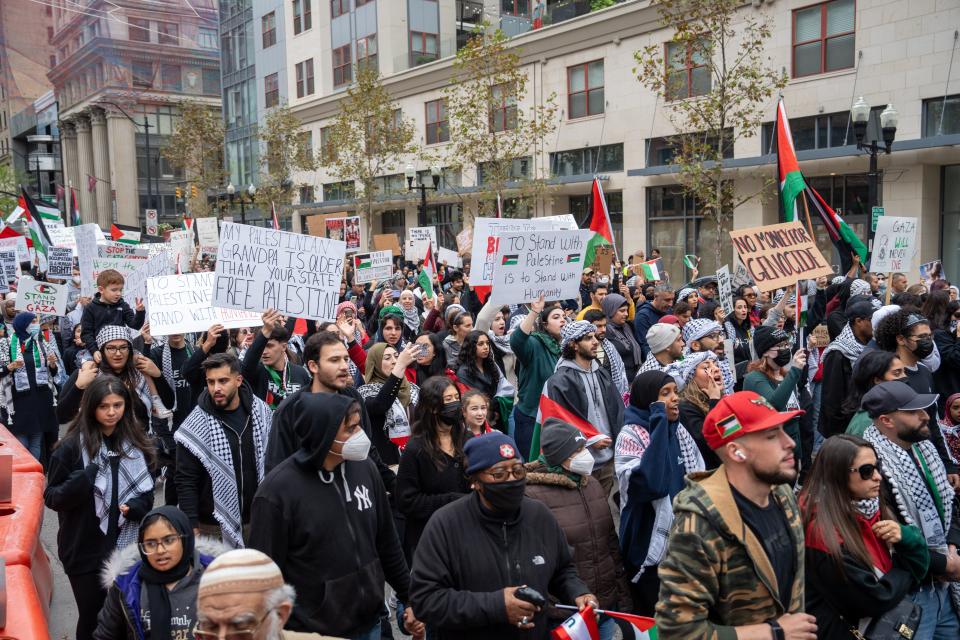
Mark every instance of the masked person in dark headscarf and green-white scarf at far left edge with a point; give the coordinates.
(28, 366)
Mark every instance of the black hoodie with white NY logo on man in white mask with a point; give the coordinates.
(330, 532)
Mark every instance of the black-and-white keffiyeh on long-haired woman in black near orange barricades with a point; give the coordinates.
(134, 479)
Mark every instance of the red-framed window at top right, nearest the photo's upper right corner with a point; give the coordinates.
(823, 37)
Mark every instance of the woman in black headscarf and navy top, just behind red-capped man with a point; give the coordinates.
(653, 453)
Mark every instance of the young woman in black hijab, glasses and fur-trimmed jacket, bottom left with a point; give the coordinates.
(152, 585)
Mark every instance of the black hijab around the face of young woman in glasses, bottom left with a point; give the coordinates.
(158, 596)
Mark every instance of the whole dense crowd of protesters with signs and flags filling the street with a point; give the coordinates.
(529, 436)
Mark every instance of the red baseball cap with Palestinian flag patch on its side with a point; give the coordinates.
(739, 414)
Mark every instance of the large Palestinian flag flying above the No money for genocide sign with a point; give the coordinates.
(793, 188)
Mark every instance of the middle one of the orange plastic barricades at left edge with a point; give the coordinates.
(20, 522)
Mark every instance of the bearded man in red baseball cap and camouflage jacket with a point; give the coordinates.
(734, 560)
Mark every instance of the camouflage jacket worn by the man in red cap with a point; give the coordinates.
(716, 575)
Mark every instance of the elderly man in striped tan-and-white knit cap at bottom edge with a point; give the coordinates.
(242, 594)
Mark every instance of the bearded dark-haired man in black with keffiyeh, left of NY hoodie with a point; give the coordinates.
(226, 432)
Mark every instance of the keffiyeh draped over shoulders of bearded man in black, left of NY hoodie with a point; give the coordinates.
(202, 435)
